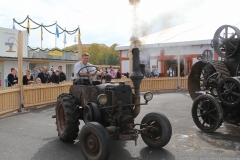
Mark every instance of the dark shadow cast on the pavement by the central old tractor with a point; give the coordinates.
(58, 150)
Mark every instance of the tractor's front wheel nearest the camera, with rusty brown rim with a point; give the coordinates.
(94, 141)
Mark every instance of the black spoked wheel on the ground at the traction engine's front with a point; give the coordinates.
(207, 113)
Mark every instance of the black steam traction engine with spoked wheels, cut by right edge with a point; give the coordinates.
(214, 86)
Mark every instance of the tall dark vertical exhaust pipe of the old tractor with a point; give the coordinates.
(136, 77)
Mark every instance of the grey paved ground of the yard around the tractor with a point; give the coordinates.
(33, 135)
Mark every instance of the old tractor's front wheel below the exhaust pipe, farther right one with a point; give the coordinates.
(160, 133)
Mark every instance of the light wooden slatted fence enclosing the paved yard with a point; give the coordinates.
(45, 94)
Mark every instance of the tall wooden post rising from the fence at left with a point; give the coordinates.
(20, 75)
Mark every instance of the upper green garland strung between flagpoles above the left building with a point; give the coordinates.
(44, 26)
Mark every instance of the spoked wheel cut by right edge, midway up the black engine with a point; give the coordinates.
(229, 92)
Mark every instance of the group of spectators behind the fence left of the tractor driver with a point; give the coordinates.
(38, 77)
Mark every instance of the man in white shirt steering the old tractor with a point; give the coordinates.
(82, 77)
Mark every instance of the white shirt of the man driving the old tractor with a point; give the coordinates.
(80, 65)
